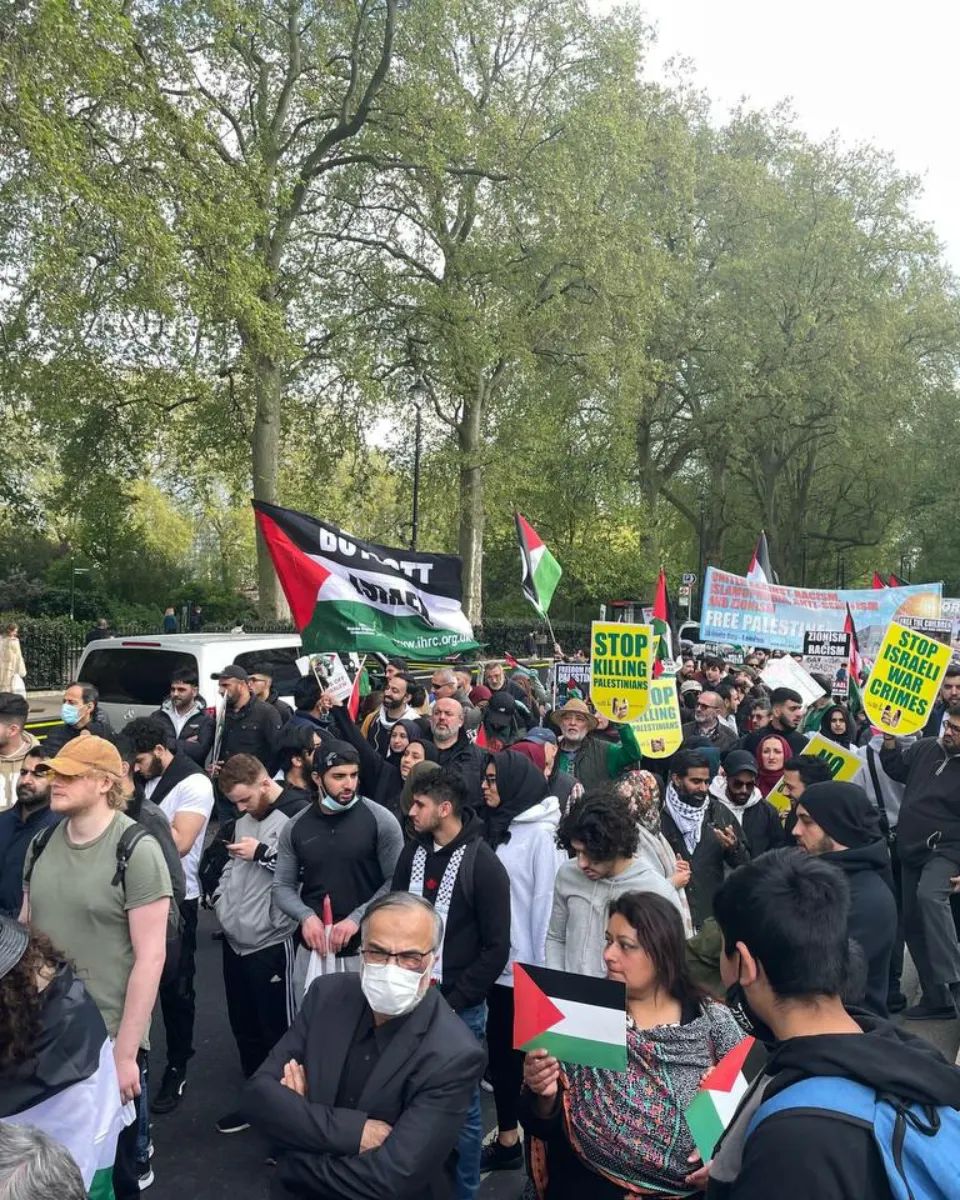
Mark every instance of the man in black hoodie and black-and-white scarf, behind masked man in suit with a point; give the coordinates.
(451, 866)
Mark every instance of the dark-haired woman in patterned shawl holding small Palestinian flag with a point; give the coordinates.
(609, 1135)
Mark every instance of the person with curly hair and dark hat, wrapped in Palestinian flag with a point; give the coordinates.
(57, 1066)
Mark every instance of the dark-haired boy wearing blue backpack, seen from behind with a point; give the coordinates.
(848, 1107)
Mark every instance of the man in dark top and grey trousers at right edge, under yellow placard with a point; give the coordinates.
(928, 839)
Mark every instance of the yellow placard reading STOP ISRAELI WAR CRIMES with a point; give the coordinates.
(905, 681)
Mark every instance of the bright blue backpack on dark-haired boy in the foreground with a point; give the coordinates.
(920, 1145)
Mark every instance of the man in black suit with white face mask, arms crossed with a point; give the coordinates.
(367, 1094)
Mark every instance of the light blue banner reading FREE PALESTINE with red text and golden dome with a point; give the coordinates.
(749, 614)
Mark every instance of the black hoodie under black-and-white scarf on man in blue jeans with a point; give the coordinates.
(477, 934)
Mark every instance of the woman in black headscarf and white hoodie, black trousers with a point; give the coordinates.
(520, 824)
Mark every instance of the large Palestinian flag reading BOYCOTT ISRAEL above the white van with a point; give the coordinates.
(347, 595)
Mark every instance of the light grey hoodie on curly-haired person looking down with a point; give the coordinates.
(579, 921)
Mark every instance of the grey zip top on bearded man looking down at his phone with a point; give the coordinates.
(244, 903)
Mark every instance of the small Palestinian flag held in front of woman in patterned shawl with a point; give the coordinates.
(575, 1018)
